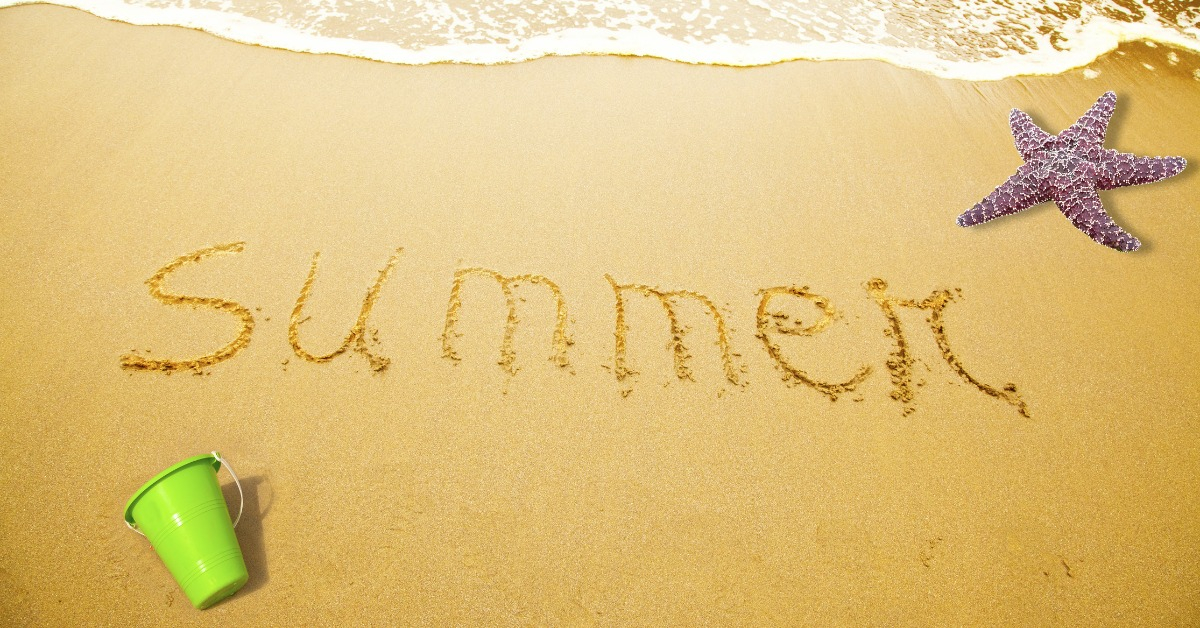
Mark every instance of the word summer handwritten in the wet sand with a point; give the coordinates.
(771, 325)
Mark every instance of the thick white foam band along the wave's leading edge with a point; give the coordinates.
(1101, 37)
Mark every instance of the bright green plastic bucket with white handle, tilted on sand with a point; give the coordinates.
(184, 516)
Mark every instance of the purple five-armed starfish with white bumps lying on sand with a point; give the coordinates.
(1070, 169)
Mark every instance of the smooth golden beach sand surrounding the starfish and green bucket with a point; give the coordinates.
(437, 492)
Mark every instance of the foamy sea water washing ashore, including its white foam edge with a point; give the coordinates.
(956, 39)
